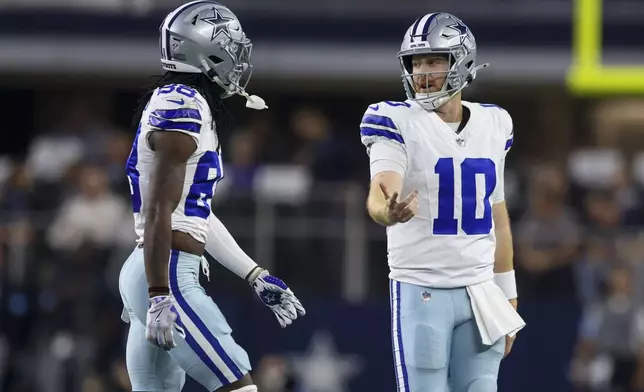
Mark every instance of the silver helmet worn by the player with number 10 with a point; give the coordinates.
(444, 34)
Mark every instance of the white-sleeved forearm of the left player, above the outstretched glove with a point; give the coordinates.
(222, 247)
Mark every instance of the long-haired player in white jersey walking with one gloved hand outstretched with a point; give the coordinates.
(173, 169)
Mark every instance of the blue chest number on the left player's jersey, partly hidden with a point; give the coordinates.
(207, 174)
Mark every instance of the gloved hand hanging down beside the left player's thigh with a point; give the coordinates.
(161, 321)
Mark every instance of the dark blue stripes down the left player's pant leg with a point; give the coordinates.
(192, 315)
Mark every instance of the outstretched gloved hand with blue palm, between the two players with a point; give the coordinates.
(275, 294)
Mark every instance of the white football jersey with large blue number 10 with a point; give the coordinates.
(450, 242)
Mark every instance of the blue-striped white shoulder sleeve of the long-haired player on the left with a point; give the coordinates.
(176, 111)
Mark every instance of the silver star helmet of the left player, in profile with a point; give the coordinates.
(206, 37)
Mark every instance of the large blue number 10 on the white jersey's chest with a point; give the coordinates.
(446, 223)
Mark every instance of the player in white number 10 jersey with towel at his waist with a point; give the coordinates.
(453, 292)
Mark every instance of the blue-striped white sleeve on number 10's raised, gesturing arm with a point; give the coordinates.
(383, 140)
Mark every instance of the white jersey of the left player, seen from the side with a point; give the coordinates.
(178, 108)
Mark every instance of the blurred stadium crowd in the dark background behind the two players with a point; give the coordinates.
(293, 195)
